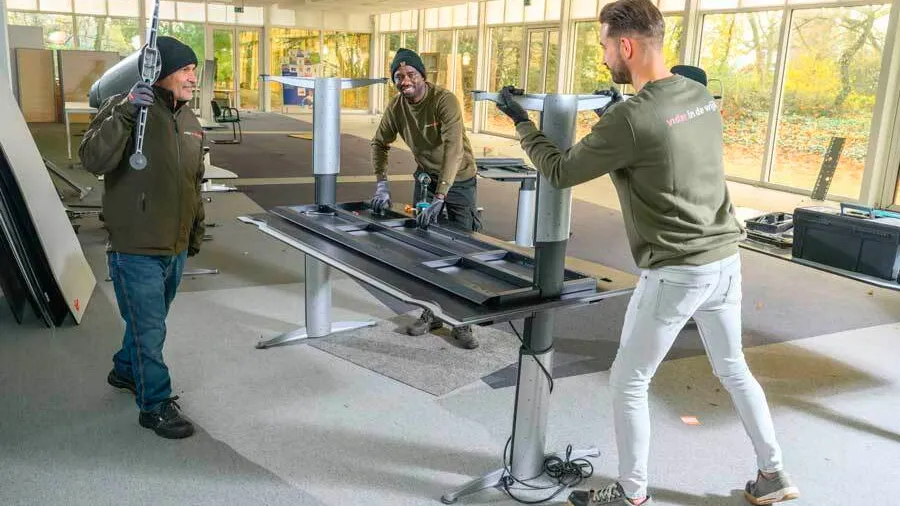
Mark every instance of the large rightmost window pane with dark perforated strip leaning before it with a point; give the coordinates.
(833, 66)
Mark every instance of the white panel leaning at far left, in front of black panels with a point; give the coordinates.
(70, 268)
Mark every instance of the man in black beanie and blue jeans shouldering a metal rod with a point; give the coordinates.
(154, 218)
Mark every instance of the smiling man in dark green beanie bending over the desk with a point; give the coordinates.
(429, 119)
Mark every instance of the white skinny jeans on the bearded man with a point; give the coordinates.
(663, 301)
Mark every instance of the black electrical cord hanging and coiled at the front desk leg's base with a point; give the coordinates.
(568, 473)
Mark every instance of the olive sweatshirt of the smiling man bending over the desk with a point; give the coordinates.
(435, 133)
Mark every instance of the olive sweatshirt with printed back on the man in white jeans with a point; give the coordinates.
(663, 150)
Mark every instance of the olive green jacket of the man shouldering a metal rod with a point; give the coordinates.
(158, 210)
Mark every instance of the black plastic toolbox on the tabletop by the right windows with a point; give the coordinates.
(868, 246)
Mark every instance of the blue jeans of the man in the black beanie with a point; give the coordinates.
(145, 287)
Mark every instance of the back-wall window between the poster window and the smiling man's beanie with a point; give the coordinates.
(347, 55)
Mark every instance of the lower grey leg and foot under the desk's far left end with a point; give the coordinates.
(318, 309)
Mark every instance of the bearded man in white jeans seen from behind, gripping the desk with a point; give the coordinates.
(662, 148)
